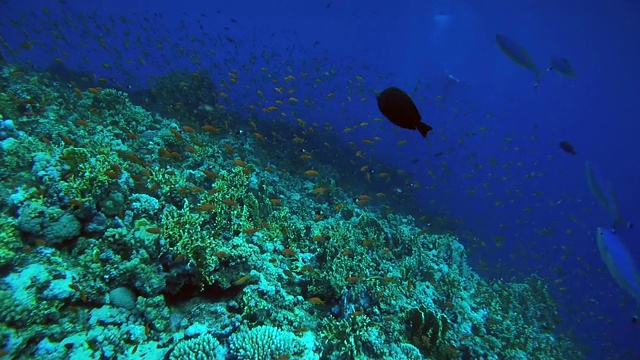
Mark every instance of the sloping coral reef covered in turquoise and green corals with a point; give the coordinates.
(130, 234)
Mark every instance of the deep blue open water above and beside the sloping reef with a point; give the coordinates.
(492, 164)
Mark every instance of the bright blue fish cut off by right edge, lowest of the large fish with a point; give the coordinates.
(619, 262)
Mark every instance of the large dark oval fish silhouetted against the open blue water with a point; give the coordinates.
(398, 108)
